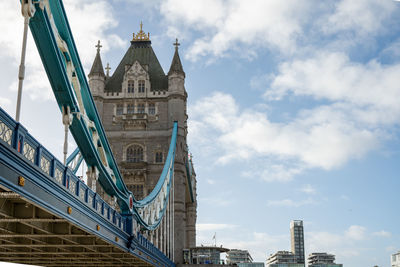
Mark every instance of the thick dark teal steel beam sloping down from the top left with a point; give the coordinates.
(55, 62)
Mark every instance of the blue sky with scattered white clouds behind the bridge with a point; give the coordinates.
(293, 112)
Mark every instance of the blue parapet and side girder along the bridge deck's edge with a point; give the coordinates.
(30, 170)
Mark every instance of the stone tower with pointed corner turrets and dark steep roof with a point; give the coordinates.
(138, 105)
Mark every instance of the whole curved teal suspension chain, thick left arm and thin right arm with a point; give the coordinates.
(59, 55)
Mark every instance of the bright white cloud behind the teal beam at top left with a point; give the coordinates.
(36, 84)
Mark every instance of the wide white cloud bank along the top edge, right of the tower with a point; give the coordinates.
(226, 26)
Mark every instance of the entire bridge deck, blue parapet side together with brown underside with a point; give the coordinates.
(49, 217)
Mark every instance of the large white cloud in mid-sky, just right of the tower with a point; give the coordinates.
(322, 137)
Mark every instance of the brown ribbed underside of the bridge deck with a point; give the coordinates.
(31, 235)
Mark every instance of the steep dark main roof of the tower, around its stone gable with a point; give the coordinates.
(142, 52)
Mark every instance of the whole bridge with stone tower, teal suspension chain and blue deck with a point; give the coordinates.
(138, 205)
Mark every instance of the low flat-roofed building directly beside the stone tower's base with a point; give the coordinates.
(203, 255)
